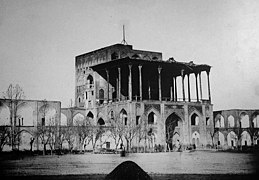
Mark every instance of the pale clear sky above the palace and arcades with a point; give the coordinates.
(39, 40)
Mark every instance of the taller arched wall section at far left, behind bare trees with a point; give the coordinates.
(24, 118)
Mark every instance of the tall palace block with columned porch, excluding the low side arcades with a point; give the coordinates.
(156, 102)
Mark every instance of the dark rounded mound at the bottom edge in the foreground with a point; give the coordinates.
(128, 170)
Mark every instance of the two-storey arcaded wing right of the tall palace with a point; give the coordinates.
(236, 127)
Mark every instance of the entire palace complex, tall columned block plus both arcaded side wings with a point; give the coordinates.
(134, 97)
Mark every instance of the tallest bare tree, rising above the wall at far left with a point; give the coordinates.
(14, 95)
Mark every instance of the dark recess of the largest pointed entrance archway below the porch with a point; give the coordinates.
(170, 124)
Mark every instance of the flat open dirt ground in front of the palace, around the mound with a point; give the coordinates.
(175, 165)
